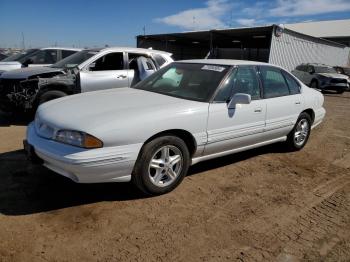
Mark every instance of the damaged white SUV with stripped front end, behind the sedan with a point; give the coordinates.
(87, 70)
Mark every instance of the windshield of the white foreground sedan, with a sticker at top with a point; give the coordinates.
(196, 82)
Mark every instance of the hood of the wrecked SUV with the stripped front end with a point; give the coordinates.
(24, 73)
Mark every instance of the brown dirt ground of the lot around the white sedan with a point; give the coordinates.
(264, 204)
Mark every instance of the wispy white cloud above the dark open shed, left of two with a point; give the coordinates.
(200, 18)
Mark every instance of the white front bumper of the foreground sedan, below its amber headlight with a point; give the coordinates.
(108, 164)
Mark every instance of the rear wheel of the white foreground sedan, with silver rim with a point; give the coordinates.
(300, 134)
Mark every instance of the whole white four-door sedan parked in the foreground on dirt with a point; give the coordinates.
(185, 113)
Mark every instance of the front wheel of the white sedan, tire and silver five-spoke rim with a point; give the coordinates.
(162, 165)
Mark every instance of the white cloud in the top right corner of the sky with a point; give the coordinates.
(292, 8)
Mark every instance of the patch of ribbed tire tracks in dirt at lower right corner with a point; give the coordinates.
(313, 233)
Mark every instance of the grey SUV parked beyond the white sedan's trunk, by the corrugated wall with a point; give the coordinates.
(322, 77)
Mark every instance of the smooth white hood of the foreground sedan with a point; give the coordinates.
(90, 111)
